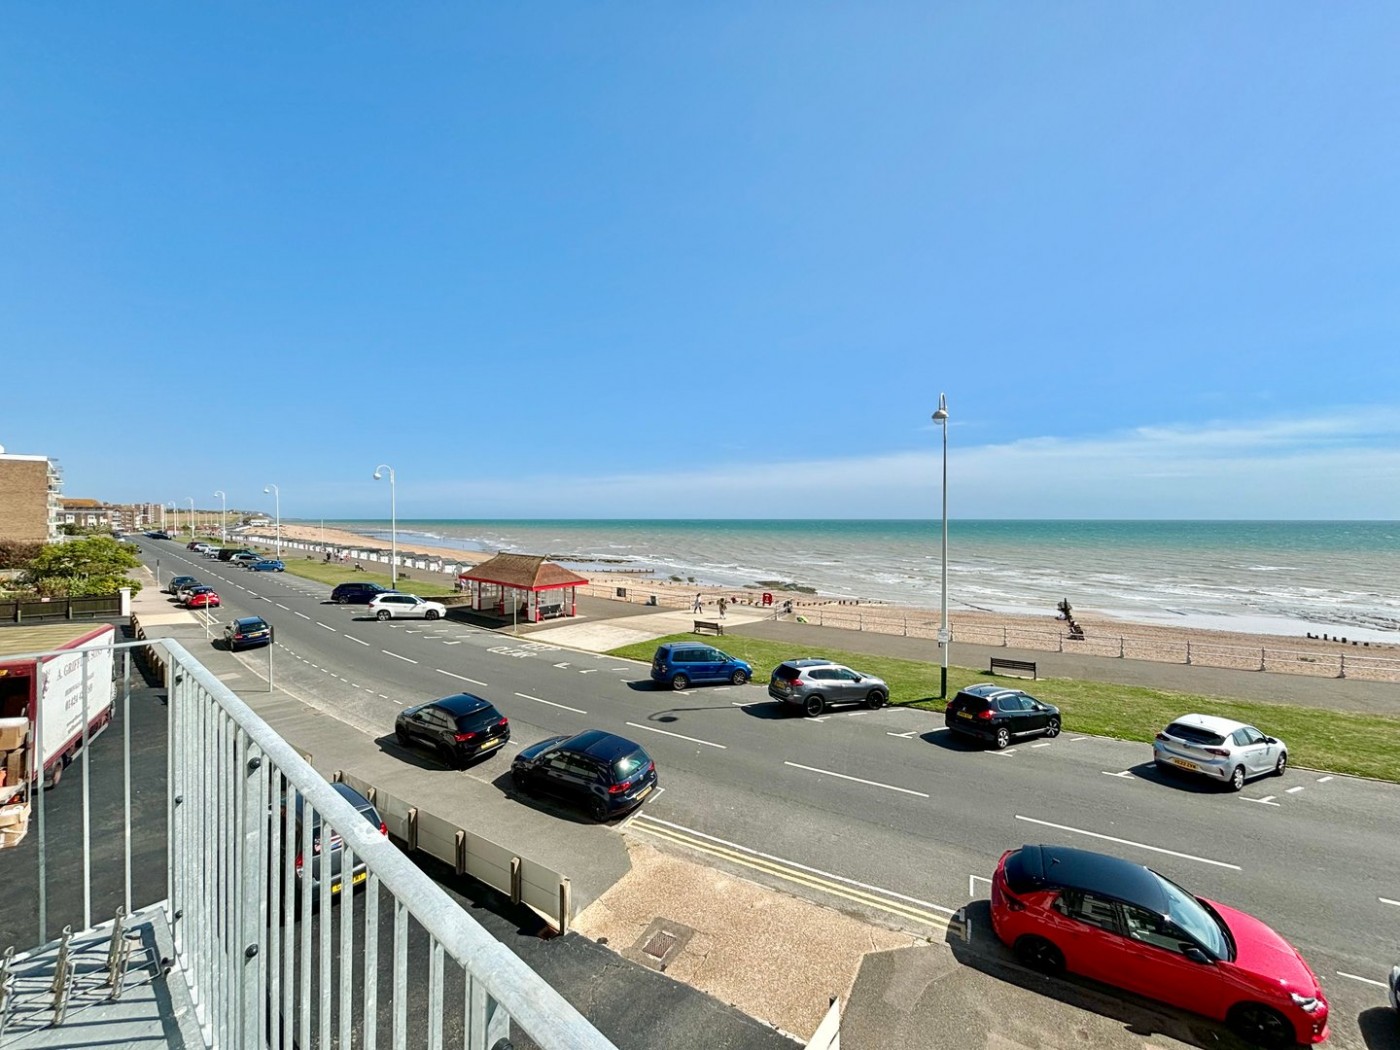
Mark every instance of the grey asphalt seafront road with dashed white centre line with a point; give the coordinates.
(874, 813)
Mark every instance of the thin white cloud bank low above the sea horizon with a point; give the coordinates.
(1343, 465)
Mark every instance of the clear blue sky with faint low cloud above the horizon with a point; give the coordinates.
(708, 260)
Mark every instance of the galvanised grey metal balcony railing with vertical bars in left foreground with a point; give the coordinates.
(272, 953)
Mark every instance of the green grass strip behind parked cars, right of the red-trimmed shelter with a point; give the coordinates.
(1338, 743)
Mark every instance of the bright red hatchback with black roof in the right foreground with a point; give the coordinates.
(1123, 925)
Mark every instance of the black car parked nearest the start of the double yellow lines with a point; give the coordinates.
(596, 771)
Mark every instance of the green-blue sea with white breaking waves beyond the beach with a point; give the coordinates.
(1270, 577)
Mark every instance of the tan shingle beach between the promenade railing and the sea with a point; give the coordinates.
(1104, 636)
